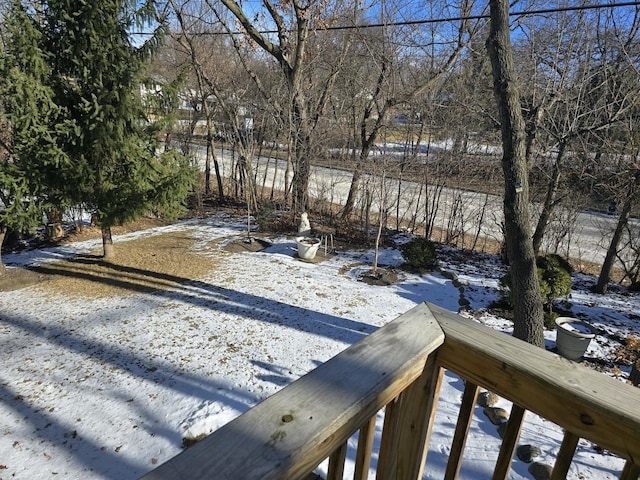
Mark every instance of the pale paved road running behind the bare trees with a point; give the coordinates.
(587, 240)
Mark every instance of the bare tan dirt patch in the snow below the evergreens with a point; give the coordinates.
(161, 262)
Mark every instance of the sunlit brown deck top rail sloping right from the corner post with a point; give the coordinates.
(593, 406)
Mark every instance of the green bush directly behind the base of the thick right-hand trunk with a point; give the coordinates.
(554, 276)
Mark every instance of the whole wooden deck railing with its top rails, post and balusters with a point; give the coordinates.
(399, 368)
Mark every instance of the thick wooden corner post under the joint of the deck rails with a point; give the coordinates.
(415, 416)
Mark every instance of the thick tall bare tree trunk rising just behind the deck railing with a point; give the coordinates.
(528, 309)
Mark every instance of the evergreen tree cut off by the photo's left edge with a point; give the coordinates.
(31, 125)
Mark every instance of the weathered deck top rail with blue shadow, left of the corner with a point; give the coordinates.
(291, 432)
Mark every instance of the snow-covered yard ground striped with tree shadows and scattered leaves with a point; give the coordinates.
(109, 387)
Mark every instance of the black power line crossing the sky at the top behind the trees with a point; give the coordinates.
(440, 20)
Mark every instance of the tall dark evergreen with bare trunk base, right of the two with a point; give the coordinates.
(112, 165)
